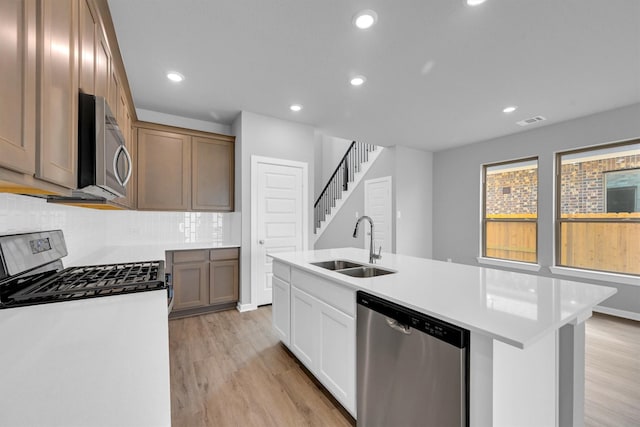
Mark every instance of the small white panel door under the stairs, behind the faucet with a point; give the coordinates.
(377, 205)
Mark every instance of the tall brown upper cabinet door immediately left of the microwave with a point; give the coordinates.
(58, 90)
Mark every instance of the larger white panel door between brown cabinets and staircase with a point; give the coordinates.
(279, 219)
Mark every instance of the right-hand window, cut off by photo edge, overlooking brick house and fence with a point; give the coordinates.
(598, 208)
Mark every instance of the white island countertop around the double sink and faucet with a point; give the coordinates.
(514, 308)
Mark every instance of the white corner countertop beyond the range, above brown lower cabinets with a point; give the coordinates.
(138, 253)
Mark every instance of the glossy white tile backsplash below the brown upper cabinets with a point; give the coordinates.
(87, 230)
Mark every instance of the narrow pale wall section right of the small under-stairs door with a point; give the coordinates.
(413, 187)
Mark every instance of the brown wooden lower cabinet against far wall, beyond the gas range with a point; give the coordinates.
(204, 280)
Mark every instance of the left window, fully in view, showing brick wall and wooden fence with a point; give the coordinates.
(510, 212)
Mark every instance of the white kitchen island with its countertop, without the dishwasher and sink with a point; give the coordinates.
(526, 332)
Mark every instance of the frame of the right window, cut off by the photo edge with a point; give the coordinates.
(591, 273)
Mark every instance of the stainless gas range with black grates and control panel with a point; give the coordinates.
(31, 272)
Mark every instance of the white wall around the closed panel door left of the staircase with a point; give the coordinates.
(269, 137)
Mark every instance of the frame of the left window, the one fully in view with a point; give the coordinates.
(484, 258)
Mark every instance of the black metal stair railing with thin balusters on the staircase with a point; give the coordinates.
(344, 174)
